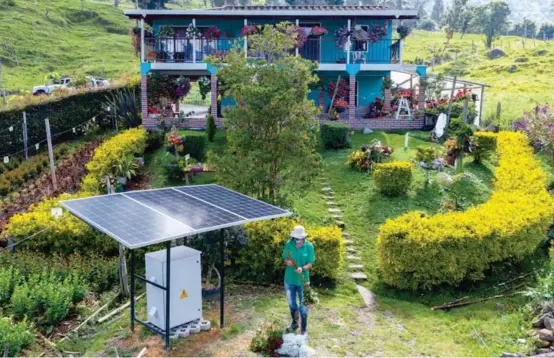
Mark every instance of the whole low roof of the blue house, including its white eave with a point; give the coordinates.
(283, 12)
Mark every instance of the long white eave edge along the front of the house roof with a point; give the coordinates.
(391, 14)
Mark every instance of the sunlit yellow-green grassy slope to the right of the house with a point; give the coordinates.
(531, 83)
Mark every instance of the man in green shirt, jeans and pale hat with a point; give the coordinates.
(299, 257)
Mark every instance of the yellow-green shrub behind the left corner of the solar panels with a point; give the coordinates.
(65, 237)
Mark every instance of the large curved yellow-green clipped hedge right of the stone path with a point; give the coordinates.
(417, 251)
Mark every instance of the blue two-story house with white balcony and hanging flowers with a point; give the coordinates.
(361, 62)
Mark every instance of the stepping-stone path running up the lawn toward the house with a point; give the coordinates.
(336, 216)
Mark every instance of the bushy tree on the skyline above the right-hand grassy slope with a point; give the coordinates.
(491, 20)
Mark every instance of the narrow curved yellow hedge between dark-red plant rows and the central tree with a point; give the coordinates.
(131, 142)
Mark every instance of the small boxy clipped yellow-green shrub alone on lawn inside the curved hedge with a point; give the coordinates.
(393, 178)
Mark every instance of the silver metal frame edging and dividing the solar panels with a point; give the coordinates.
(244, 220)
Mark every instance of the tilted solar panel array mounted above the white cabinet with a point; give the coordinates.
(142, 218)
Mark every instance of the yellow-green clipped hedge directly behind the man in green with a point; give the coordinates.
(260, 260)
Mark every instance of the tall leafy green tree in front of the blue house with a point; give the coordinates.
(272, 130)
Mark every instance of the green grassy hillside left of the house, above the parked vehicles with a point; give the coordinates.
(94, 41)
